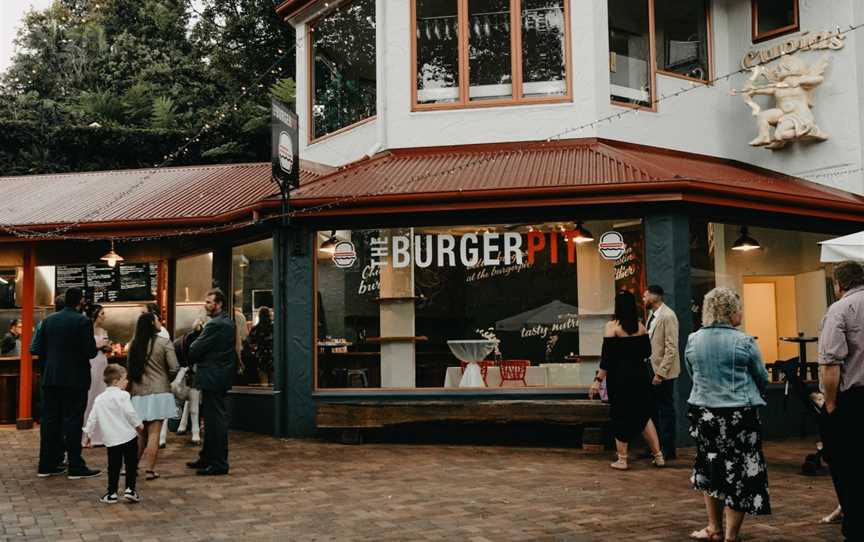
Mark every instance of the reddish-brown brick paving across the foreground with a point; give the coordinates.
(317, 491)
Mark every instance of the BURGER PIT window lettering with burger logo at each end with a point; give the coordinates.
(474, 249)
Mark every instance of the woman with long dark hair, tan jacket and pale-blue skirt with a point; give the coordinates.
(151, 363)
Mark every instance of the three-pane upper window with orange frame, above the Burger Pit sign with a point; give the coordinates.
(490, 52)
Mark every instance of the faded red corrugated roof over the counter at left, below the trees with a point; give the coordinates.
(166, 196)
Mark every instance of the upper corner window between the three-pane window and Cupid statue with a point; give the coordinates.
(650, 36)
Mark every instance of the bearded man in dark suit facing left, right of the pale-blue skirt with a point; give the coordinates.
(215, 360)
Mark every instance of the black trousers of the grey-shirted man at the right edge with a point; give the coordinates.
(842, 430)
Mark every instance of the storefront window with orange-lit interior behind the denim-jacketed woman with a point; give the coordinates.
(784, 288)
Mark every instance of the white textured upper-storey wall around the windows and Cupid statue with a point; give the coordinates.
(706, 120)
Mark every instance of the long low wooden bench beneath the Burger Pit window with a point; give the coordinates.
(351, 417)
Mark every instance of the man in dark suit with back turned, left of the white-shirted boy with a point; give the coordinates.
(65, 345)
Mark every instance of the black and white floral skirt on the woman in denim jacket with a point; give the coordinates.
(730, 465)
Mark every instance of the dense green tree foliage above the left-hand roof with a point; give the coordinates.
(143, 69)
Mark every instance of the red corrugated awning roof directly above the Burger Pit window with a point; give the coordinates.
(579, 172)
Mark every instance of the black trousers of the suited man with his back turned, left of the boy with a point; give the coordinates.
(60, 427)
